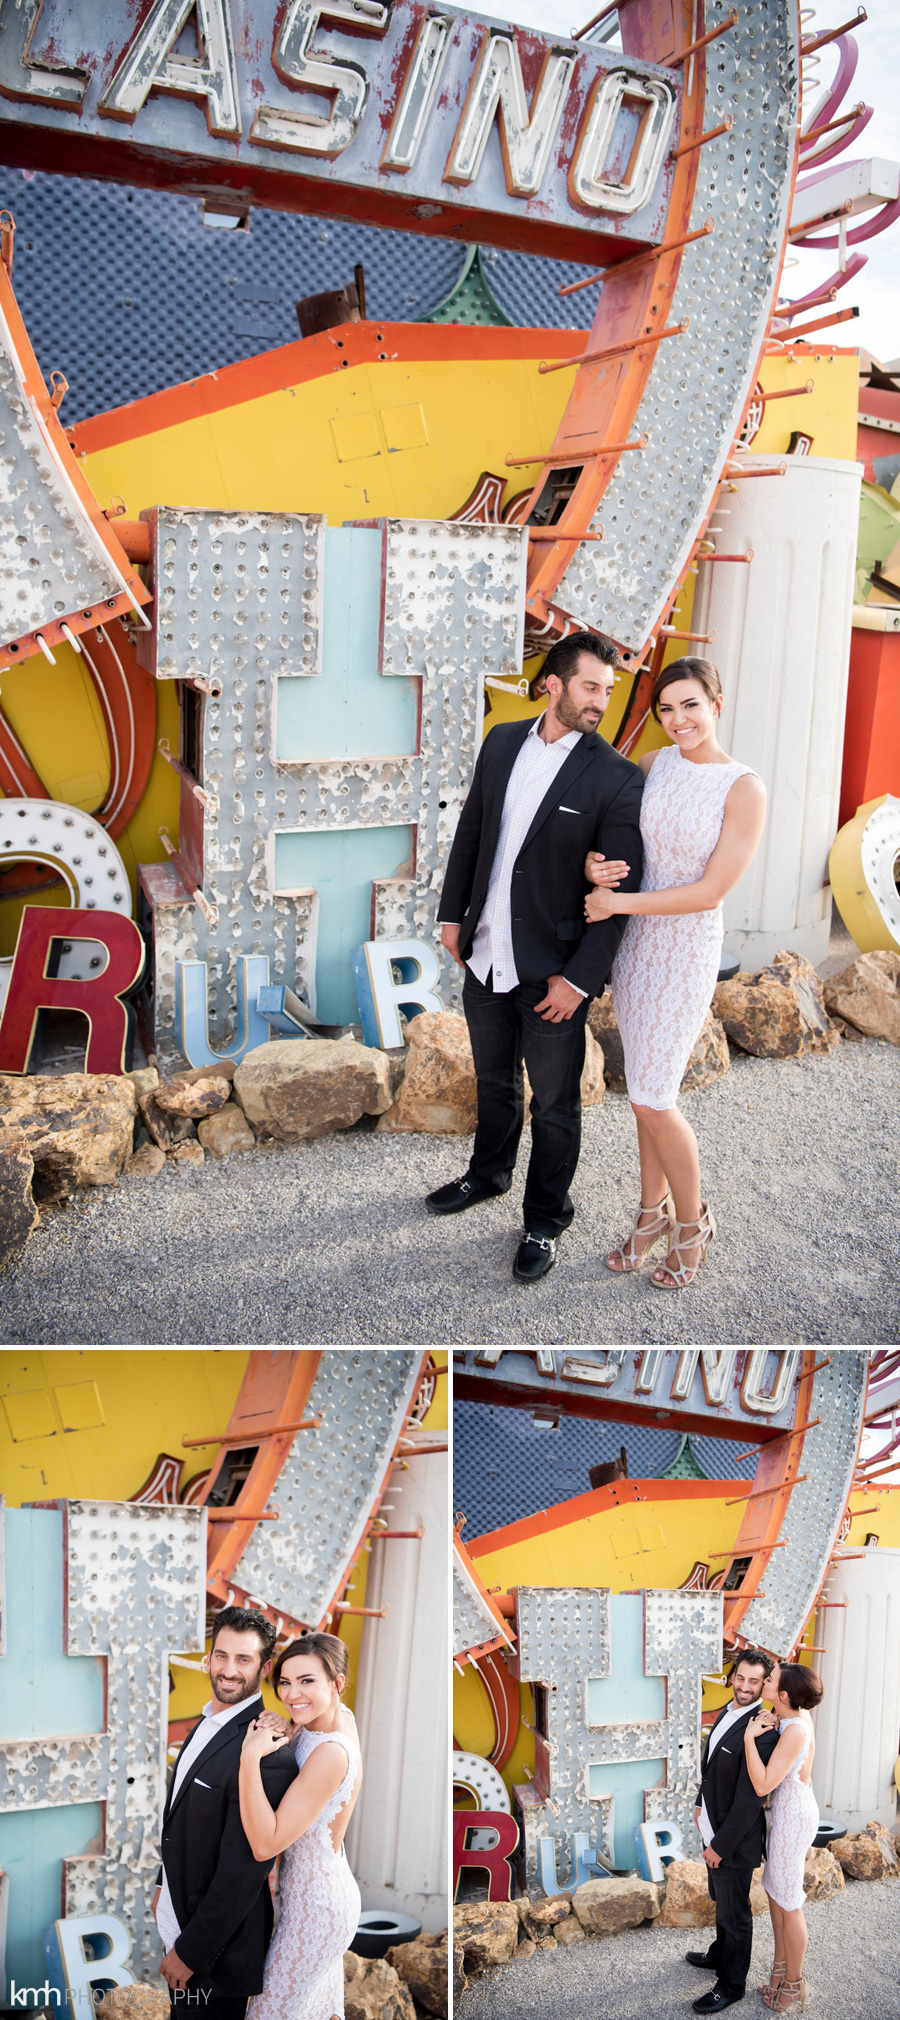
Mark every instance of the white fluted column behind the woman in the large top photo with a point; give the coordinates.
(782, 649)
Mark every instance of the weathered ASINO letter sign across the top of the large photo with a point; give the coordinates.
(395, 112)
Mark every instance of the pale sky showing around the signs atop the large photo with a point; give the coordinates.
(877, 290)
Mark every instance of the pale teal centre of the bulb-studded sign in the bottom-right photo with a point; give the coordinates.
(616, 1700)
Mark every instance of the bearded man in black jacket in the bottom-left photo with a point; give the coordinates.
(213, 1902)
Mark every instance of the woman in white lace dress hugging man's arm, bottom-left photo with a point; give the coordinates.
(320, 1898)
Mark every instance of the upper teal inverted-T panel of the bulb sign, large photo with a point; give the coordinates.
(350, 710)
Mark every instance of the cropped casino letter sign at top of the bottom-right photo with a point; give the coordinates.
(707, 1389)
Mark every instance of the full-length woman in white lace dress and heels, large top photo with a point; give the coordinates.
(701, 823)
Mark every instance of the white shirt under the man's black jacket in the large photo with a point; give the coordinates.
(530, 783)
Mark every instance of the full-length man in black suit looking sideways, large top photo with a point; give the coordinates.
(514, 916)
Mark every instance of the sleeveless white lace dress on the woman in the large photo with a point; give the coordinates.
(667, 969)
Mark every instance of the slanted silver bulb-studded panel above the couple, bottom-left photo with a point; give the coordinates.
(330, 1482)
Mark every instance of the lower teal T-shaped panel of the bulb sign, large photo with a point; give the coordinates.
(342, 870)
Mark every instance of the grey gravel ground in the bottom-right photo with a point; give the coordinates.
(643, 1977)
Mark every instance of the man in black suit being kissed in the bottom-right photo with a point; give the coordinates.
(732, 1823)
